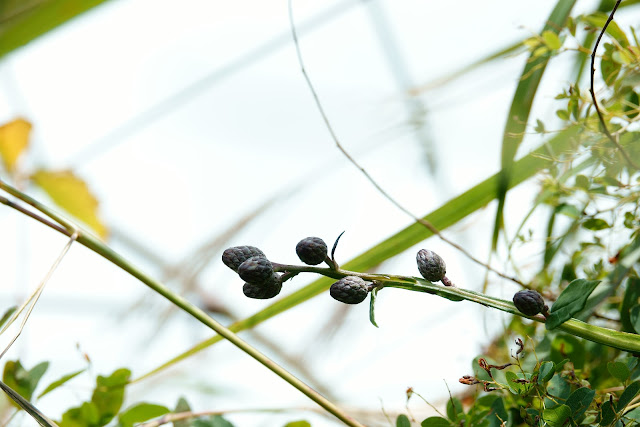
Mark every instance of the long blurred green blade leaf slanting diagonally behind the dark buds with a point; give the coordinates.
(443, 217)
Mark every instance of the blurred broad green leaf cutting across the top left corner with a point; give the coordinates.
(21, 24)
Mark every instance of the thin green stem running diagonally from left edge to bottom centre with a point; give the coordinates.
(106, 252)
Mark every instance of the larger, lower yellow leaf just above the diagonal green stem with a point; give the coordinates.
(71, 194)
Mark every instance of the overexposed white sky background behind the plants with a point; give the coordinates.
(184, 117)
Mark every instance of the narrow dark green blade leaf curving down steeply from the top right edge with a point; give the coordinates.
(521, 104)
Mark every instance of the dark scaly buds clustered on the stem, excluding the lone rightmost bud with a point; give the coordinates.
(264, 278)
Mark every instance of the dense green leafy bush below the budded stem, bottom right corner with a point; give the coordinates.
(562, 382)
